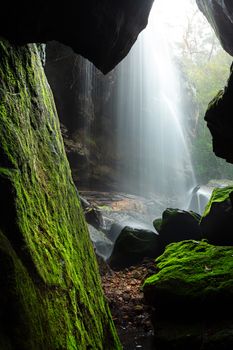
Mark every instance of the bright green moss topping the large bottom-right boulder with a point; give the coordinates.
(195, 270)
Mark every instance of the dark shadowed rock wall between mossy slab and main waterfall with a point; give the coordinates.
(85, 101)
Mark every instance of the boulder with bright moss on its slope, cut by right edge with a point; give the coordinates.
(217, 220)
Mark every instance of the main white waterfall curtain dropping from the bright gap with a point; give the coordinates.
(153, 149)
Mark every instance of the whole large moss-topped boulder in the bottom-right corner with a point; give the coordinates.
(191, 296)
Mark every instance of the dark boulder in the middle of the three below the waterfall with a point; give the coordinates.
(177, 225)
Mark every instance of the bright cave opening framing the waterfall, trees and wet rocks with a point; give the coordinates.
(136, 138)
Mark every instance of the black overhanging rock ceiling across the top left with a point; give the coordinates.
(102, 31)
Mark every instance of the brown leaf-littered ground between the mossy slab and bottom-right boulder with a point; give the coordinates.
(125, 297)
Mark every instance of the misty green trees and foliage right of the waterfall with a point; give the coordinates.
(206, 67)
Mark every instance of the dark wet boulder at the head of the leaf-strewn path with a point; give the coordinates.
(132, 246)
